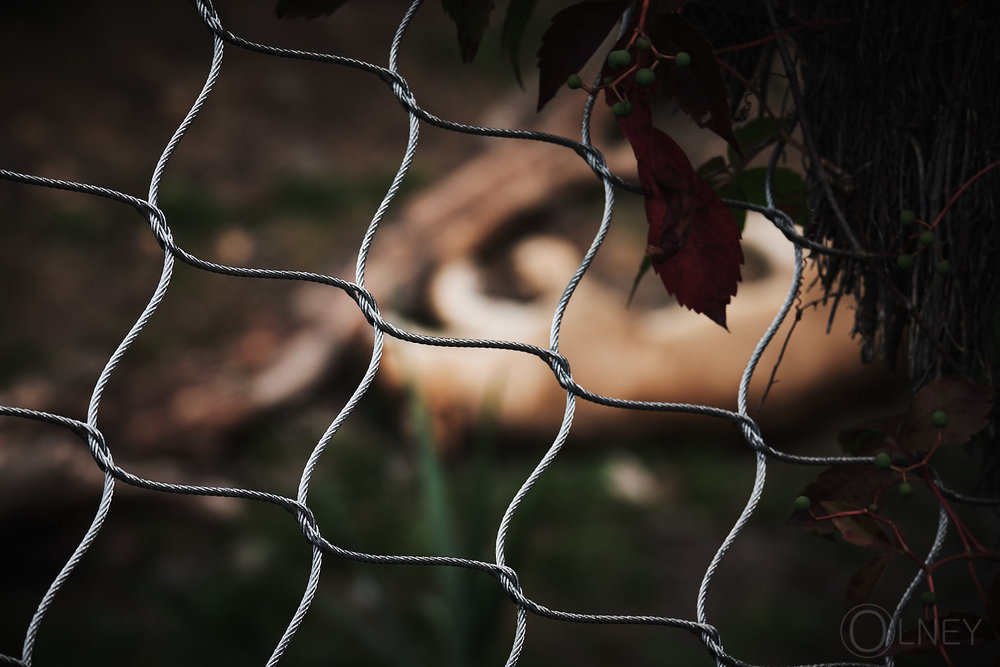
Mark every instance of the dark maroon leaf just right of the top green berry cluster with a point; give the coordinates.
(698, 88)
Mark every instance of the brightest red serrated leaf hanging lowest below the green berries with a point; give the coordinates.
(693, 240)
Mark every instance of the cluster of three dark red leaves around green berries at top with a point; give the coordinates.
(693, 242)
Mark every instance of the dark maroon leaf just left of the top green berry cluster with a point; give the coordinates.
(570, 41)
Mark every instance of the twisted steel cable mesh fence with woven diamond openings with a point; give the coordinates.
(298, 507)
